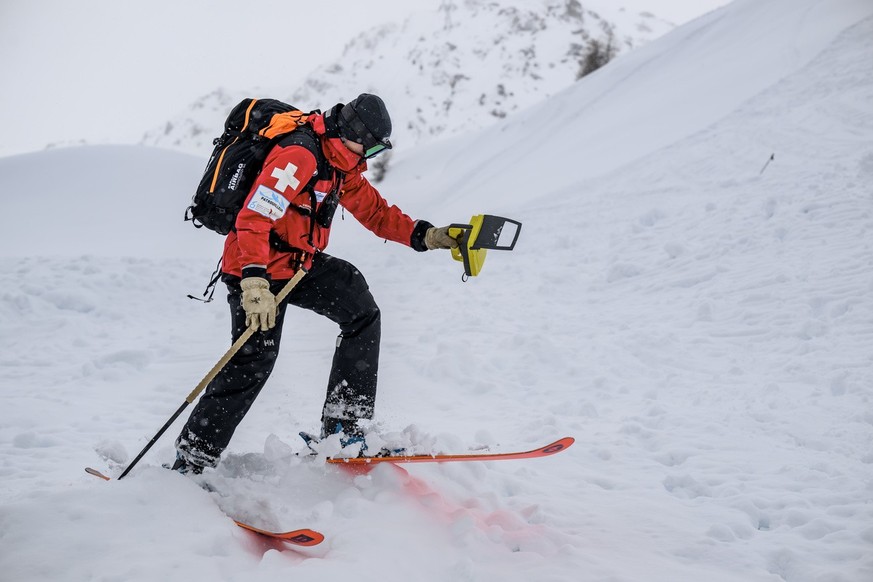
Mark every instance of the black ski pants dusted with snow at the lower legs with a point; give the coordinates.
(333, 288)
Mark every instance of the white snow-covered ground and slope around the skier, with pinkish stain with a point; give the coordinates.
(700, 322)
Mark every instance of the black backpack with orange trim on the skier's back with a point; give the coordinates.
(251, 130)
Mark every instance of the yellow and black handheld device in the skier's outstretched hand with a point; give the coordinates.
(483, 233)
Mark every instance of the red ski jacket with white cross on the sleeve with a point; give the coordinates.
(277, 202)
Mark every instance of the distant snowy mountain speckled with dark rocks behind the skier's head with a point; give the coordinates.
(459, 68)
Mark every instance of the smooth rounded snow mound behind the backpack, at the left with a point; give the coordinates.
(102, 201)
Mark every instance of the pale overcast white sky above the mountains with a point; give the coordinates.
(109, 70)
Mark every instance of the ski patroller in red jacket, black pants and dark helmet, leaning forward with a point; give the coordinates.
(284, 226)
